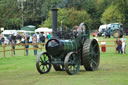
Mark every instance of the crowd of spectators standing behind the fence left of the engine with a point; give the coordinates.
(24, 39)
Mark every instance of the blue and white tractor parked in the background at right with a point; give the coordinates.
(113, 29)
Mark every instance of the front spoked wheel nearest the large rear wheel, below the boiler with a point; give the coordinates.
(72, 63)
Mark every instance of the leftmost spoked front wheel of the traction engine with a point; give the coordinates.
(43, 63)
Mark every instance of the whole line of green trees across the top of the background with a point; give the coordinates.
(71, 12)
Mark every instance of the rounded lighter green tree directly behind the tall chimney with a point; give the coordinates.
(69, 18)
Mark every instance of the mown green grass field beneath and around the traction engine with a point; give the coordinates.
(21, 70)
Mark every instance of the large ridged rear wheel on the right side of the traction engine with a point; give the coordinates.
(91, 55)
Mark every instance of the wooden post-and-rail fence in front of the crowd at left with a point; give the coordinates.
(4, 50)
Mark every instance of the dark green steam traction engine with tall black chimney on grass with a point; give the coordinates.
(68, 49)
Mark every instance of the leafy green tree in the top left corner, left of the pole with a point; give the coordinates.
(9, 17)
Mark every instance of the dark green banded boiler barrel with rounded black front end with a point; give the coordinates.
(57, 47)
